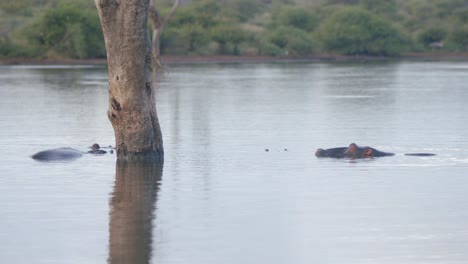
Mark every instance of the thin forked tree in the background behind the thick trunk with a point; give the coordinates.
(159, 23)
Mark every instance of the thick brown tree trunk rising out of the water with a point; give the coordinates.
(132, 104)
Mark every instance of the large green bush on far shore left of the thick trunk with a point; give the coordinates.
(68, 31)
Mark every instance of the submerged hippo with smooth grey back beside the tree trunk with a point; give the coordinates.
(63, 154)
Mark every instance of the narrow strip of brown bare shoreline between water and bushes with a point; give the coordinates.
(171, 60)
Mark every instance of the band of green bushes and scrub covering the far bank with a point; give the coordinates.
(66, 31)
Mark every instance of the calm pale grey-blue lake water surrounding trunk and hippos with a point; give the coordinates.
(220, 197)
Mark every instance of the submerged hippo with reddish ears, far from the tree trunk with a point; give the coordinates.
(354, 151)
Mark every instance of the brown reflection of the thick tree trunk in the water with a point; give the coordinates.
(132, 211)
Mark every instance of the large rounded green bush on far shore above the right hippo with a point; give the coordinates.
(353, 31)
